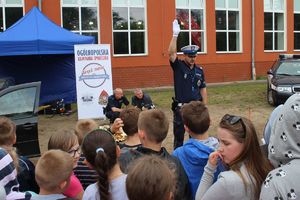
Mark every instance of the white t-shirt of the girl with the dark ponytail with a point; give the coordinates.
(117, 188)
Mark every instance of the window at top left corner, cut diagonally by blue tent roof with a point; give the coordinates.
(10, 12)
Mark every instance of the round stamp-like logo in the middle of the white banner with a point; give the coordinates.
(93, 75)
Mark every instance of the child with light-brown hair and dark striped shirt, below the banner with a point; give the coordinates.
(85, 175)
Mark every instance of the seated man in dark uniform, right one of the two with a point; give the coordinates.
(141, 100)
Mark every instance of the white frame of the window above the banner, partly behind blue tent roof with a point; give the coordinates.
(79, 6)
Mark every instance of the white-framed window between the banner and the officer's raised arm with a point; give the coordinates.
(129, 27)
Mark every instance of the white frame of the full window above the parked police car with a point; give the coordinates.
(273, 31)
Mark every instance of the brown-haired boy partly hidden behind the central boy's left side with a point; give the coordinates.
(130, 117)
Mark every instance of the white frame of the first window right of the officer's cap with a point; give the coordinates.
(227, 31)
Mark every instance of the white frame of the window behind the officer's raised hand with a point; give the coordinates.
(189, 31)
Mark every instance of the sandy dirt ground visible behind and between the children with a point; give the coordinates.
(259, 116)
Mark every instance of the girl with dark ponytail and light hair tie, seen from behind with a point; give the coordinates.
(101, 153)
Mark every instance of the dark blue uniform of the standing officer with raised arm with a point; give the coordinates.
(187, 85)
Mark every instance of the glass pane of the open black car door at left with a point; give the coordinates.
(18, 103)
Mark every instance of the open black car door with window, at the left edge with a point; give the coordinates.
(20, 104)
